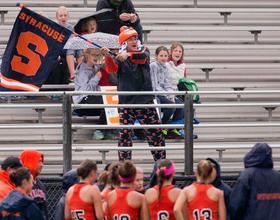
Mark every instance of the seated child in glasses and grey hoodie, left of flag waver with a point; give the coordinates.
(87, 79)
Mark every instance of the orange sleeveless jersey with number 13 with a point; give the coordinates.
(202, 207)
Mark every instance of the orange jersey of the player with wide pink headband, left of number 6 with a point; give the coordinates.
(120, 209)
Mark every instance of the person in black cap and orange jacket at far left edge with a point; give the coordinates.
(9, 166)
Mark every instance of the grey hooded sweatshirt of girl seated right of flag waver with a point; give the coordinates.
(160, 76)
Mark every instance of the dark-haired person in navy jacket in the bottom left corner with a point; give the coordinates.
(17, 205)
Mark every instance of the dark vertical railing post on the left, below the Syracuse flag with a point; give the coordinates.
(67, 133)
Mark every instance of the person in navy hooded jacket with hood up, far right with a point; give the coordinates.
(256, 194)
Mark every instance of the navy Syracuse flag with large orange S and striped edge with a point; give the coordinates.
(34, 46)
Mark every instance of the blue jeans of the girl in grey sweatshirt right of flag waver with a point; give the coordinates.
(178, 113)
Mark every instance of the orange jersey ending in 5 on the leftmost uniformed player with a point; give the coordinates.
(79, 208)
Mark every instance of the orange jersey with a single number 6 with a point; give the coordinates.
(163, 210)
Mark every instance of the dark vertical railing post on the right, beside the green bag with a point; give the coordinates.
(188, 134)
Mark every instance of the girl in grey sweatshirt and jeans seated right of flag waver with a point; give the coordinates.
(161, 81)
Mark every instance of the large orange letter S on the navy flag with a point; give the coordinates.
(34, 63)
